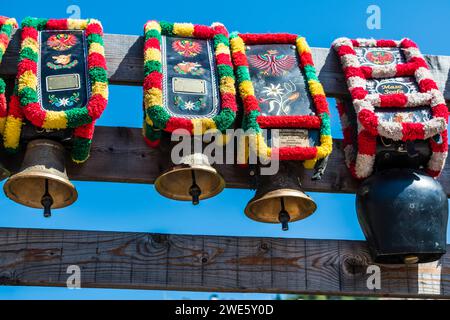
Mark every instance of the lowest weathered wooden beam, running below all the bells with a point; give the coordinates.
(206, 263)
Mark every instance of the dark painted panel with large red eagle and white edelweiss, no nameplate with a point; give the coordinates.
(280, 85)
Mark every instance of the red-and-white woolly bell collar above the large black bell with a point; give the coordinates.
(368, 65)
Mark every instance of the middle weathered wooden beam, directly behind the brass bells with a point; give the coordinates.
(124, 148)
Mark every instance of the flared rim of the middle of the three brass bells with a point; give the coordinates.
(186, 167)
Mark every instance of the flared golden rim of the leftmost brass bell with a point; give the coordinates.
(12, 179)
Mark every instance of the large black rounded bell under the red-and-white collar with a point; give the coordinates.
(403, 214)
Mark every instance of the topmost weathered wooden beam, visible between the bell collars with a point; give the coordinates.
(125, 63)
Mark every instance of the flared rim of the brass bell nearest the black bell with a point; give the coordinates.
(276, 194)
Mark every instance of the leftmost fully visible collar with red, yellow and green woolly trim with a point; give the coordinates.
(26, 106)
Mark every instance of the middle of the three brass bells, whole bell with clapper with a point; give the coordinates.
(194, 179)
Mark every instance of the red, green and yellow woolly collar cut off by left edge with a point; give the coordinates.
(6, 27)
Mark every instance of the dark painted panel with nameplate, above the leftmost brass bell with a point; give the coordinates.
(63, 82)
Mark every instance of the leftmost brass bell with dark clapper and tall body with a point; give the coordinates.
(42, 181)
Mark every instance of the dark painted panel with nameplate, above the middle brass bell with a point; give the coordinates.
(190, 84)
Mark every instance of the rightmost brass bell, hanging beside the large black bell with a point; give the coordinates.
(279, 198)
